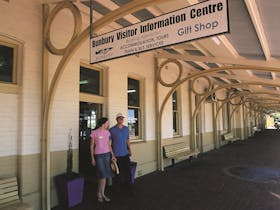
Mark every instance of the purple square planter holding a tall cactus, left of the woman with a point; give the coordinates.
(70, 189)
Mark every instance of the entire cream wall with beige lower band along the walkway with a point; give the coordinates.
(21, 113)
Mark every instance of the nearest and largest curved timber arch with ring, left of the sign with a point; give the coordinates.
(66, 54)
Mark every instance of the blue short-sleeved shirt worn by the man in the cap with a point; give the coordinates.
(119, 138)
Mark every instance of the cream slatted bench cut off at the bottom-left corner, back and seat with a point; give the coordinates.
(9, 198)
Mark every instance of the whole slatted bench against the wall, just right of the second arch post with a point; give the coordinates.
(177, 151)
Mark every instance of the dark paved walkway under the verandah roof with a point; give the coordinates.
(203, 185)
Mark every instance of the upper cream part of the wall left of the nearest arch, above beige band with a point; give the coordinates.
(16, 17)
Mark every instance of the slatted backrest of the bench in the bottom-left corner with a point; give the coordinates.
(8, 191)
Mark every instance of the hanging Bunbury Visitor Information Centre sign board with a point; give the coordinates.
(201, 20)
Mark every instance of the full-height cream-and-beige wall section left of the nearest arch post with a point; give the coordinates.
(21, 113)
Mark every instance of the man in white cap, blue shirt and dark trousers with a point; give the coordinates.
(122, 151)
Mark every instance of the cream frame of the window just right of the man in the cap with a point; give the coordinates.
(141, 126)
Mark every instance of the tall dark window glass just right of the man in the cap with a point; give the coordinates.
(134, 108)
